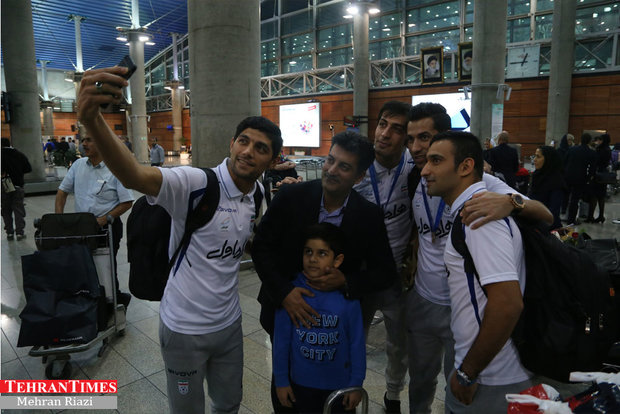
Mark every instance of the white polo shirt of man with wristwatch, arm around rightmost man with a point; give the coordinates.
(431, 278)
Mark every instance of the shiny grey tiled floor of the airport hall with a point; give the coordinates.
(135, 360)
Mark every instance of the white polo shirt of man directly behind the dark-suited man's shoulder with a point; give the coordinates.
(394, 199)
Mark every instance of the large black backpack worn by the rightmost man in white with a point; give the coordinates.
(569, 320)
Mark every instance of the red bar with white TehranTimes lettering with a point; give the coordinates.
(58, 386)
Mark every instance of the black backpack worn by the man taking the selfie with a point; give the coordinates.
(148, 238)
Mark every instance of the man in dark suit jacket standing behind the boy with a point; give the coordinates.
(277, 249)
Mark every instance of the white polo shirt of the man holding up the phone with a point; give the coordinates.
(201, 295)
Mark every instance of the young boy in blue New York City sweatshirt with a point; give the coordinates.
(311, 363)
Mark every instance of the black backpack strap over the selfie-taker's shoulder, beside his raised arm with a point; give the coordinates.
(201, 215)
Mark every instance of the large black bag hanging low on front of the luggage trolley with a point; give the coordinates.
(62, 292)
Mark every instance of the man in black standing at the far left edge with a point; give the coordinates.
(14, 166)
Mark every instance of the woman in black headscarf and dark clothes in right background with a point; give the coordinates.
(548, 181)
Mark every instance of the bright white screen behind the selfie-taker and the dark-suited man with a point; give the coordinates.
(301, 125)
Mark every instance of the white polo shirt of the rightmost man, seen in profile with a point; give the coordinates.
(497, 252)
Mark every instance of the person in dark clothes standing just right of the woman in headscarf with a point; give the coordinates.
(579, 169)
